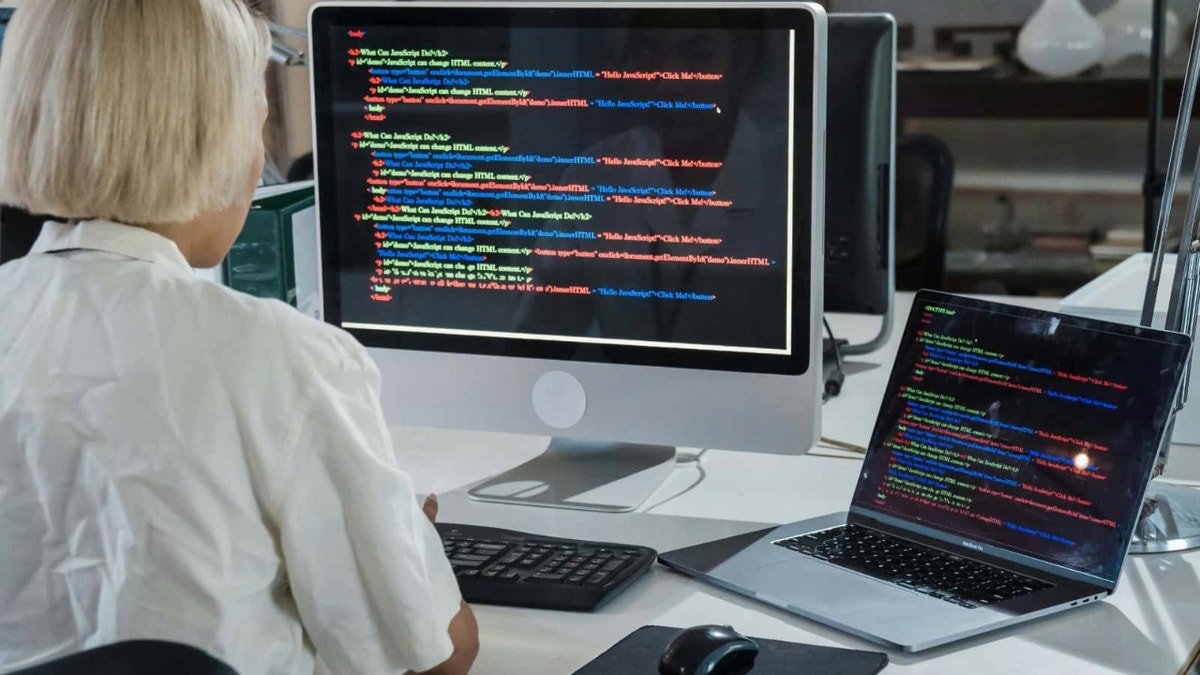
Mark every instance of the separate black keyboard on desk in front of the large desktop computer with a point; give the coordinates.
(520, 570)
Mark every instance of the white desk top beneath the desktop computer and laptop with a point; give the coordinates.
(1149, 626)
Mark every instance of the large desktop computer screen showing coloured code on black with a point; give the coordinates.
(615, 186)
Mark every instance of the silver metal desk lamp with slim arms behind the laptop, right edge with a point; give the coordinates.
(1171, 517)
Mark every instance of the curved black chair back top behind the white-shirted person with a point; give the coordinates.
(135, 658)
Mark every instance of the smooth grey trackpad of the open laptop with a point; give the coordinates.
(823, 588)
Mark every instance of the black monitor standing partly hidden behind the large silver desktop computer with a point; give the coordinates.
(860, 216)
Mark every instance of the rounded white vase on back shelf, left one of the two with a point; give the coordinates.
(1061, 40)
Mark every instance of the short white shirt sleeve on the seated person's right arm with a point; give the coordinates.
(367, 569)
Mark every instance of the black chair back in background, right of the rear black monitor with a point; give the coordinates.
(925, 183)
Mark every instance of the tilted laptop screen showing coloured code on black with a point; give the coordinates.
(1027, 431)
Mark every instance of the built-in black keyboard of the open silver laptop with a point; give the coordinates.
(914, 566)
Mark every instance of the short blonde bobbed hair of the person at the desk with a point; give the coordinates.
(141, 112)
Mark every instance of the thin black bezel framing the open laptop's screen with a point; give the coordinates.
(862, 511)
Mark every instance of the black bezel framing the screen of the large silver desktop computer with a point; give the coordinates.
(808, 184)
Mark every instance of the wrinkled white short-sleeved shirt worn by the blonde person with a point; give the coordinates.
(187, 463)
